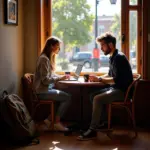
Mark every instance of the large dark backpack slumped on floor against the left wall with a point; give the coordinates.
(22, 129)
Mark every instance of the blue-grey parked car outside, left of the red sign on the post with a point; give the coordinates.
(84, 58)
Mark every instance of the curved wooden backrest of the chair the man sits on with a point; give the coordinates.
(136, 78)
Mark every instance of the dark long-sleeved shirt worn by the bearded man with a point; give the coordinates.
(120, 70)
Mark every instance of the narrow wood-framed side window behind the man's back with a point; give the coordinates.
(134, 35)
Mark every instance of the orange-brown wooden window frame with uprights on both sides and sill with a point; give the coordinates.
(45, 30)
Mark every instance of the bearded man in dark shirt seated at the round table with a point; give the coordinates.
(119, 77)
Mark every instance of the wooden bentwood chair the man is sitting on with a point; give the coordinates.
(128, 103)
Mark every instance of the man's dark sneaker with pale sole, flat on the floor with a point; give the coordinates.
(88, 135)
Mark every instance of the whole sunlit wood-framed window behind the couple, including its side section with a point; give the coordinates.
(75, 25)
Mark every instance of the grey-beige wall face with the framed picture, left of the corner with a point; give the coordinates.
(11, 51)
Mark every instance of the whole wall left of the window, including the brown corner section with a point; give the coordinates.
(18, 45)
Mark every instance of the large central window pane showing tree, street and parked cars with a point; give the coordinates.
(75, 26)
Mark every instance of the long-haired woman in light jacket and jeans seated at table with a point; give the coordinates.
(45, 78)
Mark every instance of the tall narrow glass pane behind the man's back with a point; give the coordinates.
(133, 40)
